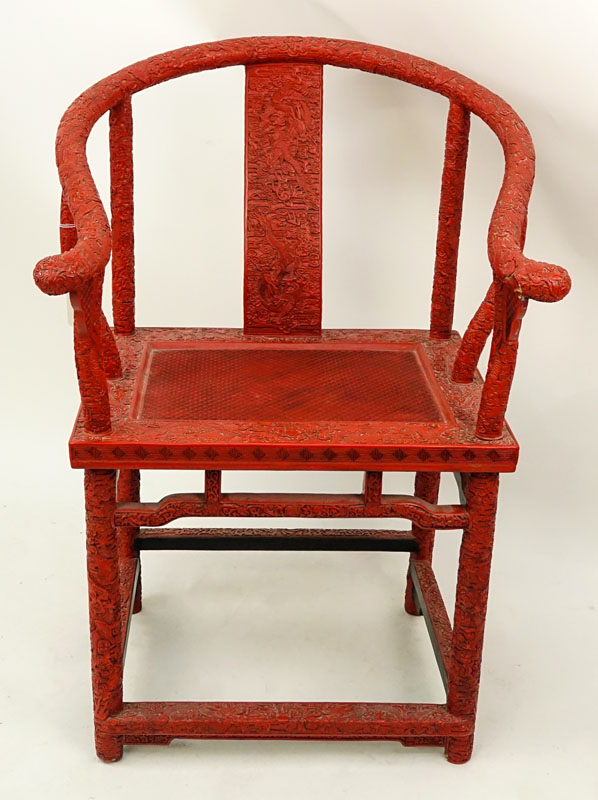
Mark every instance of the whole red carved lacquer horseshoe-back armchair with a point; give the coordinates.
(284, 394)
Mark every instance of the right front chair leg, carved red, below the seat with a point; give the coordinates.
(470, 607)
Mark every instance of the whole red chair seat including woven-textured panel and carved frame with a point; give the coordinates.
(348, 399)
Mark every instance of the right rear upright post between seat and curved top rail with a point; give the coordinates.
(449, 221)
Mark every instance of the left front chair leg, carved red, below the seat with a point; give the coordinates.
(104, 607)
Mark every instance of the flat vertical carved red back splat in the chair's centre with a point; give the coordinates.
(283, 199)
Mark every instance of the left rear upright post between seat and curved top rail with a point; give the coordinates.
(121, 207)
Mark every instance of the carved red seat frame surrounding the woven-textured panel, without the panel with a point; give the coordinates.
(317, 445)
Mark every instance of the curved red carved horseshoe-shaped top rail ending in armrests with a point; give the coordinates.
(58, 274)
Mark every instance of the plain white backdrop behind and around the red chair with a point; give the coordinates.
(307, 626)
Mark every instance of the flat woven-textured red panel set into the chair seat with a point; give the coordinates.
(285, 385)
